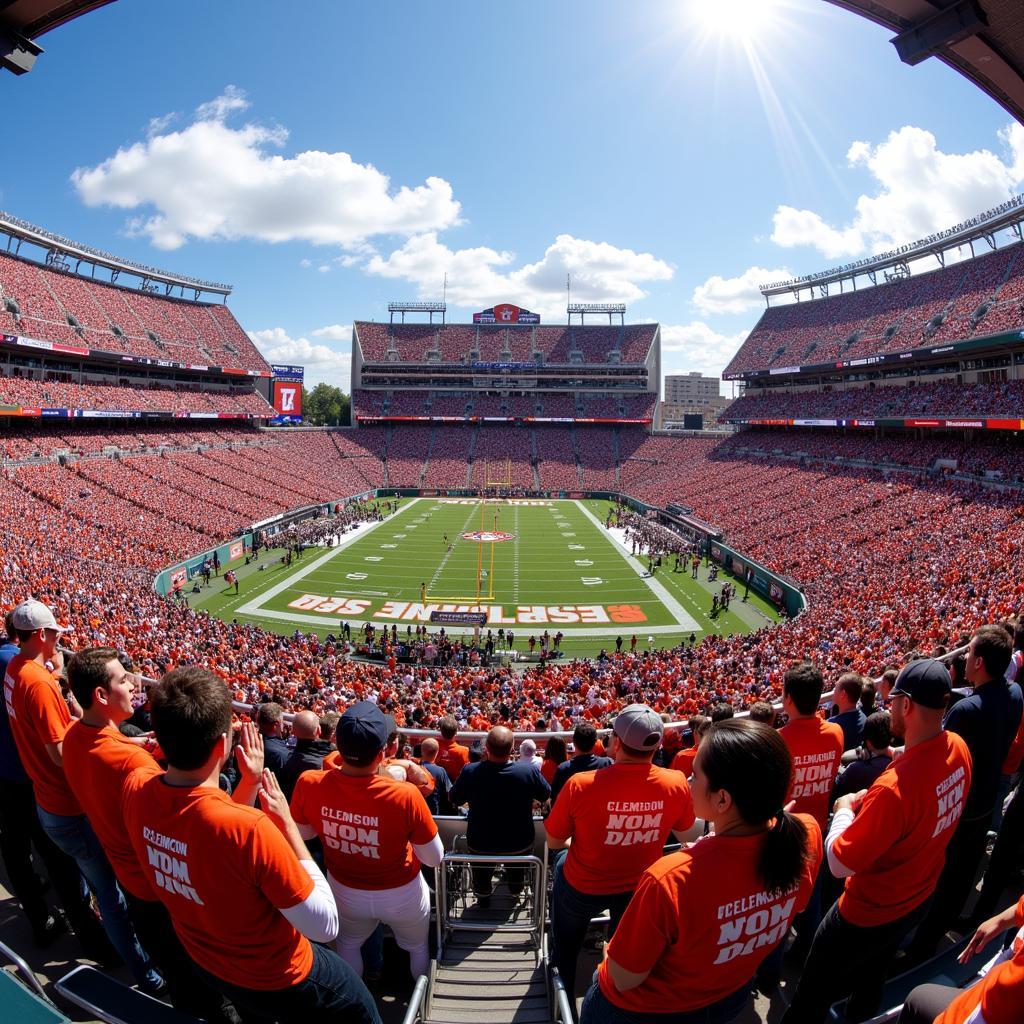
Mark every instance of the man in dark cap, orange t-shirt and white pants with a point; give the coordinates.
(376, 832)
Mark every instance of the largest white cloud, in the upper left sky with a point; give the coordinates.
(215, 182)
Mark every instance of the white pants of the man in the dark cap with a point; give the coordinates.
(406, 911)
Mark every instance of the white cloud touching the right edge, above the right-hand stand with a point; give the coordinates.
(919, 190)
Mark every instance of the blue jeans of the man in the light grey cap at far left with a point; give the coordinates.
(74, 835)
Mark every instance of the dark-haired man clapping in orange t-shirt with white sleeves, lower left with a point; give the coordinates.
(253, 900)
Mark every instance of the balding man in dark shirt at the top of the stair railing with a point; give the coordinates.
(501, 795)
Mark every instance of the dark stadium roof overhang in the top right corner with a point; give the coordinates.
(982, 39)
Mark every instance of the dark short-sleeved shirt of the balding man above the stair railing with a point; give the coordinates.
(501, 804)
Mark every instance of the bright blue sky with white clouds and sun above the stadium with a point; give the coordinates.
(670, 154)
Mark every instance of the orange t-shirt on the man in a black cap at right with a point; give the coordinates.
(898, 843)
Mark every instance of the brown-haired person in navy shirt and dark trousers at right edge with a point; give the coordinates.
(988, 721)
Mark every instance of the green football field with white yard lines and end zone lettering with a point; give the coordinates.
(529, 565)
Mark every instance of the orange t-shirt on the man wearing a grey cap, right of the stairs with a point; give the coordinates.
(620, 819)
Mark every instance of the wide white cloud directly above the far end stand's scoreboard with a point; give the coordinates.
(481, 277)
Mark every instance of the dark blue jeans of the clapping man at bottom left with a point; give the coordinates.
(332, 993)
